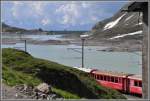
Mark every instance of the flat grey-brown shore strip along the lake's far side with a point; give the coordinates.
(121, 47)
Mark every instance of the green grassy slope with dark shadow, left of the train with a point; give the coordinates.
(67, 81)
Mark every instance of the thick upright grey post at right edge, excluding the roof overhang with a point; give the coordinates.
(145, 67)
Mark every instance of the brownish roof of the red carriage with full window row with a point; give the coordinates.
(110, 73)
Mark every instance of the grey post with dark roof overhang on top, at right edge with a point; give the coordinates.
(143, 7)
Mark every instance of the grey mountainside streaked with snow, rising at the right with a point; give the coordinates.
(121, 30)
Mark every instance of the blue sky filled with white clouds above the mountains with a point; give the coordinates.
(62, 14)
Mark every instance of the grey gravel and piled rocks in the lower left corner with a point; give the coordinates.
(23, 91)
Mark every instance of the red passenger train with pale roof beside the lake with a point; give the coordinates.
(127, 83)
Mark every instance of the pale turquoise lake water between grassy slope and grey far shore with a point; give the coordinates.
(64, 54)
